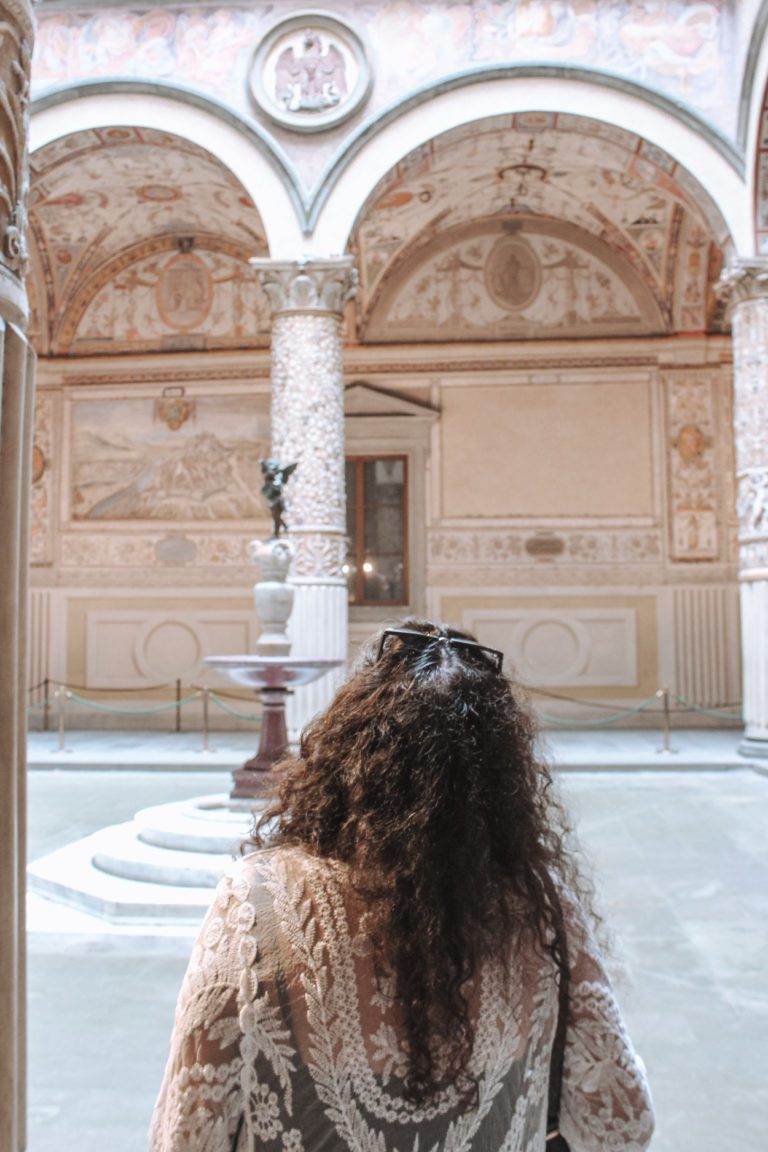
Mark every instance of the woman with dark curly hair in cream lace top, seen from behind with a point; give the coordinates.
(405, 960)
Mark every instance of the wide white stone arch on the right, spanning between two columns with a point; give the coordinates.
(710, 160)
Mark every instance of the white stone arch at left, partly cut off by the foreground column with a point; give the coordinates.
(247, 151)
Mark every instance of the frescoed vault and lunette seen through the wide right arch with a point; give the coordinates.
(597, 232)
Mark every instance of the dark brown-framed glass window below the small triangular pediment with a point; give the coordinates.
(377, 556)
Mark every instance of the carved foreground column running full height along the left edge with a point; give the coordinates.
(17, 362)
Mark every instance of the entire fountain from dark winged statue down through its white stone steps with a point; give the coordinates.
(161, 867)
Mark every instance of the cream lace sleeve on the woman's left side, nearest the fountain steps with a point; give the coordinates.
(201, 1108)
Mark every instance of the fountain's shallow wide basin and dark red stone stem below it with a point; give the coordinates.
(273, 677)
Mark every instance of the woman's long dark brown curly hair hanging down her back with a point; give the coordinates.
(423, 777)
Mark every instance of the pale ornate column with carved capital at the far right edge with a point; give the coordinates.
(747, 282)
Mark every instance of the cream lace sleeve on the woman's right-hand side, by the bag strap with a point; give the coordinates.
(606, 1103)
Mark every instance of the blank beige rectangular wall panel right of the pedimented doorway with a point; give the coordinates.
(548, 450)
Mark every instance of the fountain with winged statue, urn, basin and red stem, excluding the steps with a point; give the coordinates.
(271, 671)
